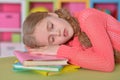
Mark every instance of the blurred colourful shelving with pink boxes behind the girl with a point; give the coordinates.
(13, 13)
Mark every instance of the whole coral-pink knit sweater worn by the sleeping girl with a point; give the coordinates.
(104, 33)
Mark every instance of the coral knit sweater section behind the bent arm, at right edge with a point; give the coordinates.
(113, 29)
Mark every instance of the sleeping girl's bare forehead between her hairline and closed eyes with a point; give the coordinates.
(40, 32)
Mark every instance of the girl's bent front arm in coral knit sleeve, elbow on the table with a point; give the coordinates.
(100, 56)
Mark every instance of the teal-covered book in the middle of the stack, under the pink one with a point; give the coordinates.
(19, 66)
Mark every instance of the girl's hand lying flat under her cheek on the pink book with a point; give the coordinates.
(47, 50)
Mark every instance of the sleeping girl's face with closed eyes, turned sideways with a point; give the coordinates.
(53, 30)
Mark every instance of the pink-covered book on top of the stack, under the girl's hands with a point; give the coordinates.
(28, 59)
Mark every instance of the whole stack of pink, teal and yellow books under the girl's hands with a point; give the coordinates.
(43, 64)
